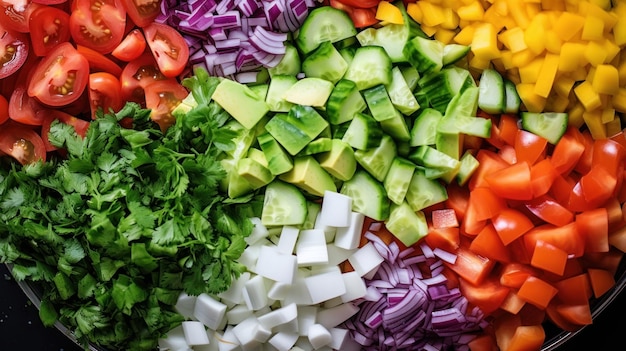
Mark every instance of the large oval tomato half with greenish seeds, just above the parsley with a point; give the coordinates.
(60, 77)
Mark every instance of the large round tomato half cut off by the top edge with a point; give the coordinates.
(98, 24)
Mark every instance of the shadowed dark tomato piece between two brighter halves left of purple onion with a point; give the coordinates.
(136, 75)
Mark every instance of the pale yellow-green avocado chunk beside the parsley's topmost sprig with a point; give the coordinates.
(246, 106)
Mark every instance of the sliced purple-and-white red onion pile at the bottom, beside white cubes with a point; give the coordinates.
(409, 292)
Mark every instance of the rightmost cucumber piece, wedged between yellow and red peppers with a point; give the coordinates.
(549, 125)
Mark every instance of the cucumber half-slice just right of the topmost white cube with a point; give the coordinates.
(368, 195)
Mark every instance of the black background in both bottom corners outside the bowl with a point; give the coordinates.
(21, 329)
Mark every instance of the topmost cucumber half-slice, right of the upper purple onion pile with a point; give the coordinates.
(324, 24)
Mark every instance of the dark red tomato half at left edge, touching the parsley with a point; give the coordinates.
(22, 143)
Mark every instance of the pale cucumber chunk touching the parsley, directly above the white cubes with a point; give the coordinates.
(283, 204)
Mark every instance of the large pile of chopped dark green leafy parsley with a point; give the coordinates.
(116, 230)
